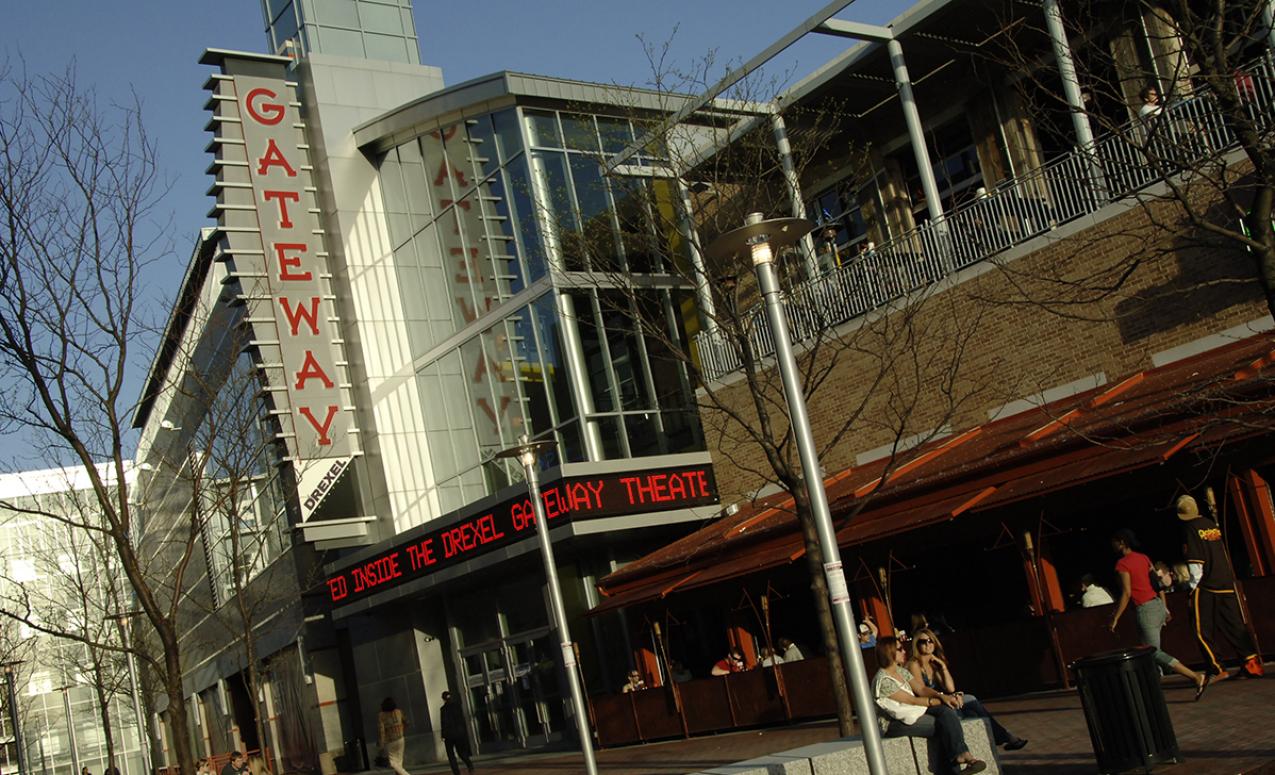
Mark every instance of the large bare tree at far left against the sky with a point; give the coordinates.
(80, 196)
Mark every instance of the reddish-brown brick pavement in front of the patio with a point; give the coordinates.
(1230, 732)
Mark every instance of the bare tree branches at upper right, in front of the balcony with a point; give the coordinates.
(1179, 96)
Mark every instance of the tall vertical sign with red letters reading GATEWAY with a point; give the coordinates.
(273, 245)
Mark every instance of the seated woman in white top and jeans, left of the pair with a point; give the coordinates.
(910, 703)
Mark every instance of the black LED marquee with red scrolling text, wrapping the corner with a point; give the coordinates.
(514, 519)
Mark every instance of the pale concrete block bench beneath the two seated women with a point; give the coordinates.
(903, 757)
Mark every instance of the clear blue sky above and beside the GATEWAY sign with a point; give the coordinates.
(152, 48)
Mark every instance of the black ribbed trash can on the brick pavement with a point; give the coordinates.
(1129, 722)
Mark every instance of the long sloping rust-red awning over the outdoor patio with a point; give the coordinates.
(1137, 423)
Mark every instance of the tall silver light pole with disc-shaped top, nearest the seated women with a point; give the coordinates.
(761, 238)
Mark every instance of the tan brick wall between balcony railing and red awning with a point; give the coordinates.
(1100, 298)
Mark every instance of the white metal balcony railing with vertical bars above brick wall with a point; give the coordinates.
(1082, 183)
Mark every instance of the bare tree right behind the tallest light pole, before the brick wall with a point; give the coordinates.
(699, 182)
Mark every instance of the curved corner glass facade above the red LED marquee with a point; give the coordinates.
(480, 215)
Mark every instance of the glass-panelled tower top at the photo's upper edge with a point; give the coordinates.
(381, 30)
